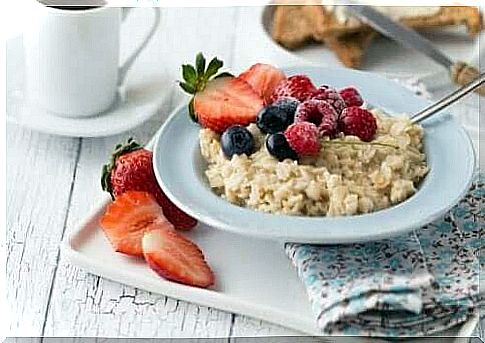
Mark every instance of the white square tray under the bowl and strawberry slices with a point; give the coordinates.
(254, 276)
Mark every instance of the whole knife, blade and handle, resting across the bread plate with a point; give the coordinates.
(460, 72)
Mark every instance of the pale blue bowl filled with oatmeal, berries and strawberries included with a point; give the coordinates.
(327, 168)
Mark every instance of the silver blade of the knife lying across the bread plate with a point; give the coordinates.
(400, 33)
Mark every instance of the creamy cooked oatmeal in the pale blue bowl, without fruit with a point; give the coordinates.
(343, 179)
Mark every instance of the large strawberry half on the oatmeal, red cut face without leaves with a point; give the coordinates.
(226, 101)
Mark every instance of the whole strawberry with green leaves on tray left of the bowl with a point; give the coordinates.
(130, 169)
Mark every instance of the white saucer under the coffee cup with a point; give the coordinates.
(141, 99)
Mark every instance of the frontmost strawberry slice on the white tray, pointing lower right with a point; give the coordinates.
(175, 258)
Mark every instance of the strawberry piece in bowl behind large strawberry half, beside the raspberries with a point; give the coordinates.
(263, 78)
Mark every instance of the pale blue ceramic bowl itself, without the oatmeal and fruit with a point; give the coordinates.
(179, 168)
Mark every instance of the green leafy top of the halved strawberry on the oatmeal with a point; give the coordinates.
(195, 78)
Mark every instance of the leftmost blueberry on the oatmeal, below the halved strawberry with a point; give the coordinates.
(237, 140)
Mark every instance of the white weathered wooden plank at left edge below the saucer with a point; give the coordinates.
(40, 172)
